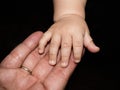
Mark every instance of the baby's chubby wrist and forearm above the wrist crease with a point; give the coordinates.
(62, 8)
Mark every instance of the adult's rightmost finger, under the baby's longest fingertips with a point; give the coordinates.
(59, 76)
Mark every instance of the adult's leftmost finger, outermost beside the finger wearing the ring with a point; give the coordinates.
(18, 55)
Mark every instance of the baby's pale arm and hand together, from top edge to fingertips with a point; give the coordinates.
(68, 33)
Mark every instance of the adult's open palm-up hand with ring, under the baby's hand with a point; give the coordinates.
(43, 75)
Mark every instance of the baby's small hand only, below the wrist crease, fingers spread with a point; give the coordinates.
(70, 33)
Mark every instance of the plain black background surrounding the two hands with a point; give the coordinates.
(98, 71)
